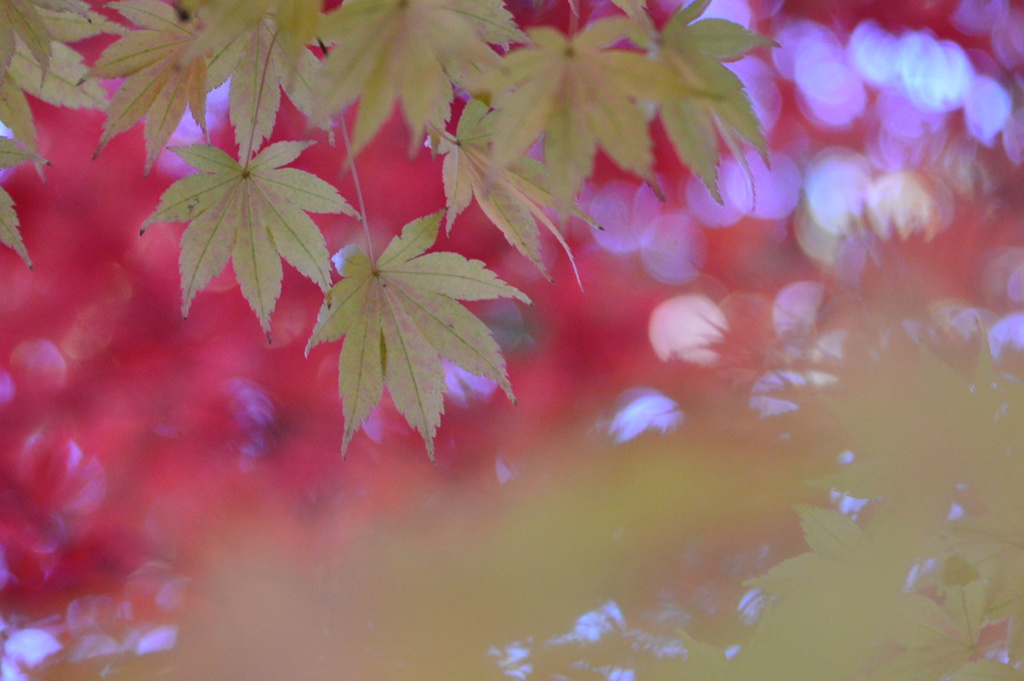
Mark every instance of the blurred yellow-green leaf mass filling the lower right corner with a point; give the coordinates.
(931, 584)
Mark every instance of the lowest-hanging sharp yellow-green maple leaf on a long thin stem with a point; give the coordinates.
(400, 317)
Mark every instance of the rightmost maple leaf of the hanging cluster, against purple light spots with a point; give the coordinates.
(711, 101)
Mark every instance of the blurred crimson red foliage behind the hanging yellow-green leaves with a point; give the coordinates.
(126, 433)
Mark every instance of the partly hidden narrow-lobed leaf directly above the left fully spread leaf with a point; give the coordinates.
(260, 75)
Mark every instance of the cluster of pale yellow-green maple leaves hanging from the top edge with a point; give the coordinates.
(600, 88)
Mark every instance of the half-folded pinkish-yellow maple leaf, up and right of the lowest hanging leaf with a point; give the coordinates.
(515, 200)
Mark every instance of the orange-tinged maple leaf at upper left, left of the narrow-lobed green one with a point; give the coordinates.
(159, 83)
